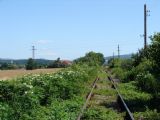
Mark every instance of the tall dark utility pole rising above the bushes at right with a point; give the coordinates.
(145, 25)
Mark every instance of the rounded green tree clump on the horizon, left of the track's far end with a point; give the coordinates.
(92, 59)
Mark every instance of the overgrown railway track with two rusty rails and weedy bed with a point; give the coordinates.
(105, 98)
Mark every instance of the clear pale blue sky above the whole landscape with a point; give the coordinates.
(70, 28)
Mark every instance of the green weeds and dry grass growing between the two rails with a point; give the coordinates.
(103, 105)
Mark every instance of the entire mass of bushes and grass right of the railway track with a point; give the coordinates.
(140, 79)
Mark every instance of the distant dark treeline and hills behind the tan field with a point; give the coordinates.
(32, 64)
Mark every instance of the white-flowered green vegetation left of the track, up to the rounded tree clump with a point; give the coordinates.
(49, 96)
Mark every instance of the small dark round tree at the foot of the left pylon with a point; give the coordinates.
(31, 64)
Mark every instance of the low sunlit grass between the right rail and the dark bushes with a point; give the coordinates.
(140, 103)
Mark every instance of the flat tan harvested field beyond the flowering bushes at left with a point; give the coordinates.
(9, 74)
